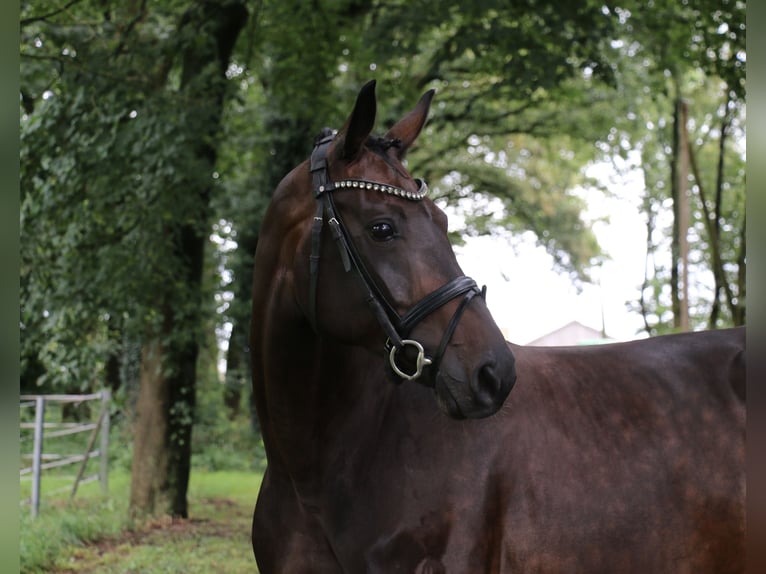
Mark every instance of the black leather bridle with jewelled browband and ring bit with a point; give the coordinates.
(396, 327)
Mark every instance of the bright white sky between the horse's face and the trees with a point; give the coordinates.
(528, 299)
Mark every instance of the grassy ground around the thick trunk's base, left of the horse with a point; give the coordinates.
(93, 535)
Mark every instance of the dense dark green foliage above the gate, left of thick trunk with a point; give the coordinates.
(108, 165)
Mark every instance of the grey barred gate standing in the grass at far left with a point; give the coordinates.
(42, 430)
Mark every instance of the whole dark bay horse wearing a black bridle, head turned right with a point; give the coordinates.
(618, 458)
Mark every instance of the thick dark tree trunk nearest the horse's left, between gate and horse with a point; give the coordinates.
(165, 406)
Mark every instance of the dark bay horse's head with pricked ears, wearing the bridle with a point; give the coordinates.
(372, 265)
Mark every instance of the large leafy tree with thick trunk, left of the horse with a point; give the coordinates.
(119, 135)
